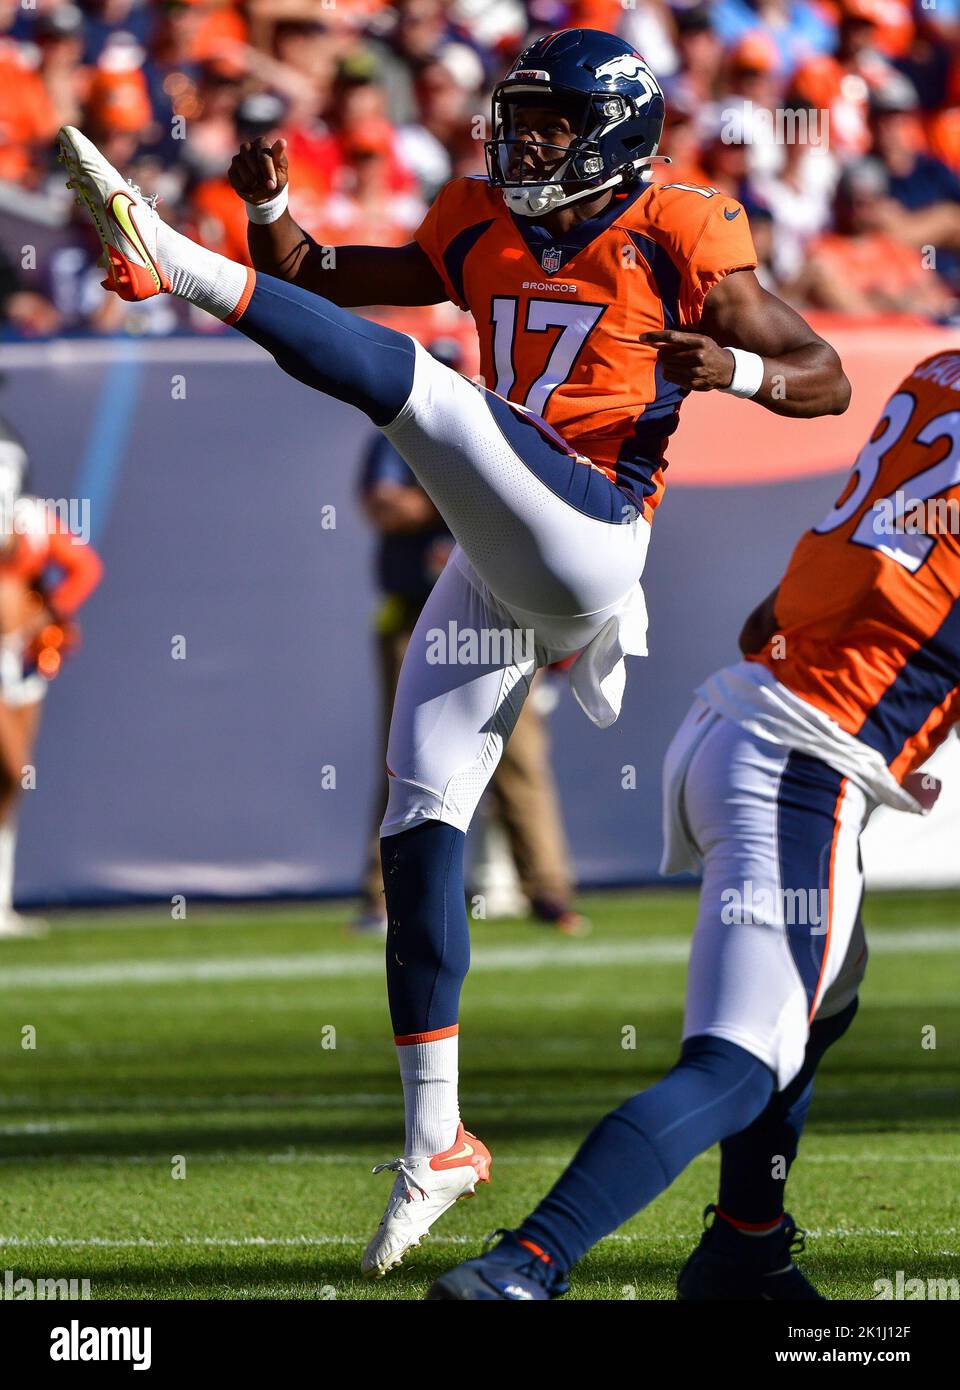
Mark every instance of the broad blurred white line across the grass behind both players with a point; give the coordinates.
(340, 965)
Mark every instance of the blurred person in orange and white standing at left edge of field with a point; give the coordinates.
(37, 632)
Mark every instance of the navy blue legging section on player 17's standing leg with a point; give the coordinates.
(429, 938)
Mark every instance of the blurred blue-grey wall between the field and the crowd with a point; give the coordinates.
(209, 473)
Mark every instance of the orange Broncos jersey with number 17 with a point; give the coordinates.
(559, 319)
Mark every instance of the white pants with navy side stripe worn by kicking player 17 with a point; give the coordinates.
(536, 578)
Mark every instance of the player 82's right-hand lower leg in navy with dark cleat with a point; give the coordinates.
(747, 1252)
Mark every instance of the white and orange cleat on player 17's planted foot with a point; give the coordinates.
(423, 1192)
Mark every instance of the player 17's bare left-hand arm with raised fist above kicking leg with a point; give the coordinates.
(348, 276)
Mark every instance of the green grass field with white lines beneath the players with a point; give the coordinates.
(208, 1042)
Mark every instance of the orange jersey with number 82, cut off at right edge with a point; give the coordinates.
(869, 610)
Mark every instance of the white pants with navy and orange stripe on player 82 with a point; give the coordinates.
(779, 938)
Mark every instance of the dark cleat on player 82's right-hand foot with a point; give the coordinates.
(733, 1266)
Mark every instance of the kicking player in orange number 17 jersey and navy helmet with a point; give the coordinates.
(601, 302)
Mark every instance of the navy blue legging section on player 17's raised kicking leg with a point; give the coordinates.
(331, 350)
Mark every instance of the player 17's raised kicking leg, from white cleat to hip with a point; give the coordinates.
(554, 539)
